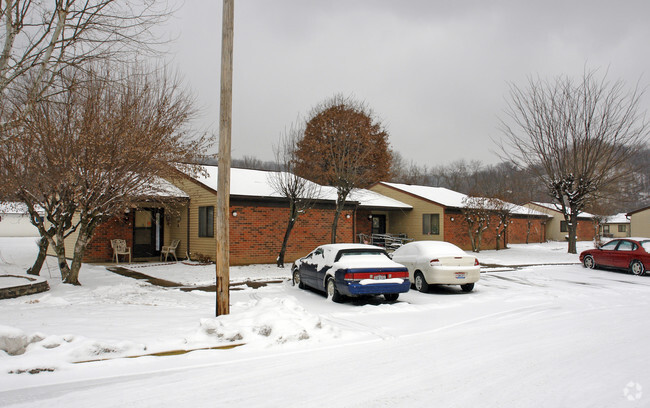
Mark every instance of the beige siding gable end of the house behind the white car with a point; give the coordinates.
(410, 222)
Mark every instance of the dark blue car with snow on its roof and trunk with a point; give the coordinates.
(351, 270)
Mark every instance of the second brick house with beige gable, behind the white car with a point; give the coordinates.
(437, 215)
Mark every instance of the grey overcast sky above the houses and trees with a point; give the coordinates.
(435, 72)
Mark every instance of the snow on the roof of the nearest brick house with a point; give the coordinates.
(257, 183)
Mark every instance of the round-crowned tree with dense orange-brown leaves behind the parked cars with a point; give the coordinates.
(344, 146)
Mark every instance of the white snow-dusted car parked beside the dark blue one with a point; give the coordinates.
(438, 263)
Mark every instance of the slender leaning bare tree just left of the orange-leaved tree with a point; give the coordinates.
(299, 192)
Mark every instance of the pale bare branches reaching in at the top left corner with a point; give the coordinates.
(42, 38)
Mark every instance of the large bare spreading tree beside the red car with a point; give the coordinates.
(576, 135)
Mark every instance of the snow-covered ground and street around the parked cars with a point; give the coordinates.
(540, 332)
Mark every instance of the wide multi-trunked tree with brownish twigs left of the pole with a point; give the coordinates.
(99, 146)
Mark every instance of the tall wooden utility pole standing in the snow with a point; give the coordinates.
(223, 182)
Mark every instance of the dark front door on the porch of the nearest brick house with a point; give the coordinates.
(148, 232)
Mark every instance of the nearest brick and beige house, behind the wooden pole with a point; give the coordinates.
(258, 219)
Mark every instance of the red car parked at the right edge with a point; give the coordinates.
(632, 254)
